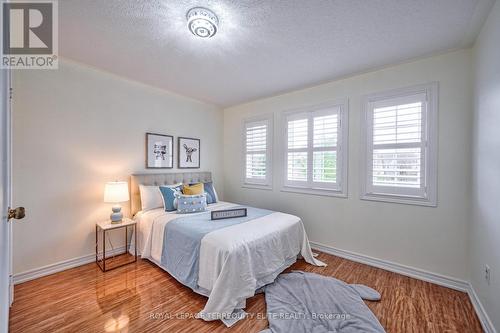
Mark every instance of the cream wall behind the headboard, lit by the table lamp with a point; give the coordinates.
(75, 129)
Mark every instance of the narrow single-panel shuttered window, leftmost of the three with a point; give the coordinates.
(257, 159)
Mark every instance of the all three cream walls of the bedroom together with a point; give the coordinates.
(78, 127)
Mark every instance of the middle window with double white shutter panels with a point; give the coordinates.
(316, 150)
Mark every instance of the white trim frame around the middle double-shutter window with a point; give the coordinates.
(342, 151)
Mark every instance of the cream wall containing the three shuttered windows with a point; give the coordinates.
(432, 239)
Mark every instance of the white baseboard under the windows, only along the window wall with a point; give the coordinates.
(416, 273)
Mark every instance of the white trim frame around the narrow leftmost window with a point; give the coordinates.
(268, 183)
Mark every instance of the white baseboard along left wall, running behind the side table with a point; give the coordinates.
(60, 266)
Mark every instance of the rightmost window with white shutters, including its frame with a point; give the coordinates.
(400, 146)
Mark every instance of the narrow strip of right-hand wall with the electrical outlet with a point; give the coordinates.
(485, 224)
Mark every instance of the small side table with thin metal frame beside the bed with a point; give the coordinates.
(106, 226)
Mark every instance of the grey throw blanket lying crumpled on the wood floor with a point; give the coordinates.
(312, 303)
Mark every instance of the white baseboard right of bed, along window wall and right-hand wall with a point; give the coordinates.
(416, 273)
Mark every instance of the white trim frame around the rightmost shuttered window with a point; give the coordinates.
(429, 151)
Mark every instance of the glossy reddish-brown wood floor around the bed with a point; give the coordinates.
(141, 297)
